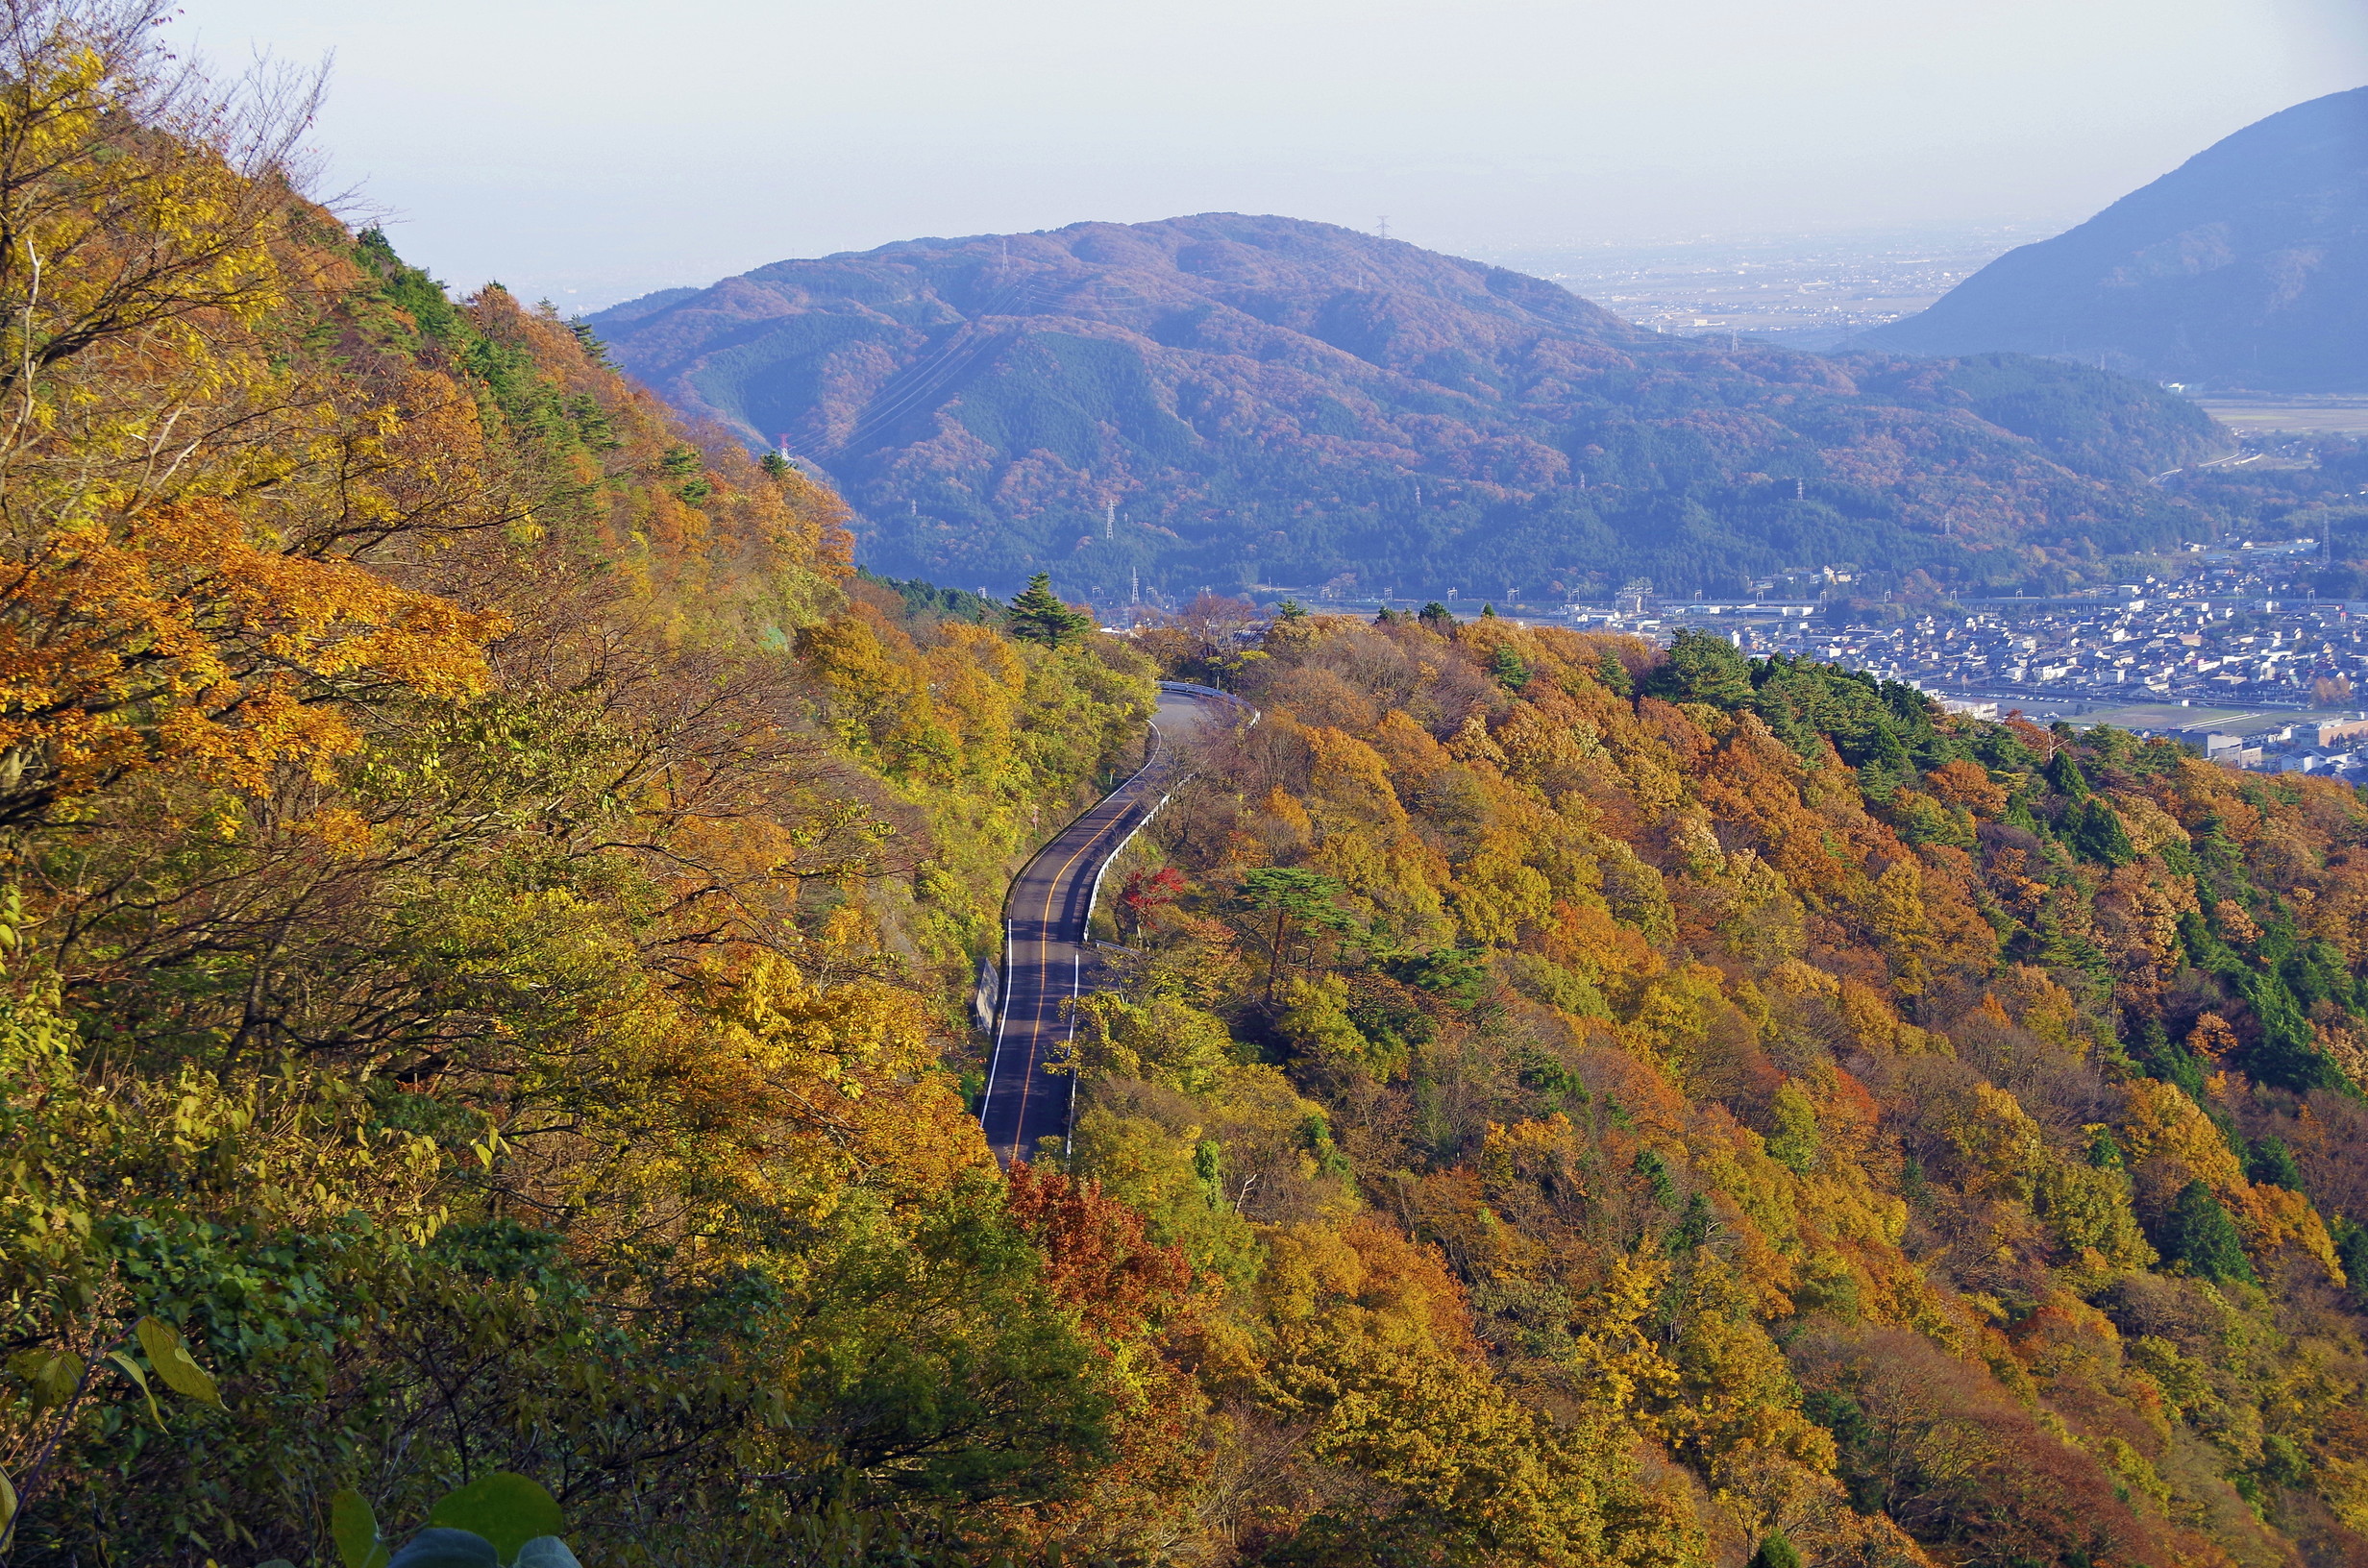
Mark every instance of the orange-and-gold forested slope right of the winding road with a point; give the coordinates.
(1912, 1138)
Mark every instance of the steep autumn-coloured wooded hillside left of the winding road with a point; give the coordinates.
(487, 897)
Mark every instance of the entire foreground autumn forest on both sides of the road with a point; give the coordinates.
(489, 918)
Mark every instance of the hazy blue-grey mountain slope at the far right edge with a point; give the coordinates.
(2246, 266)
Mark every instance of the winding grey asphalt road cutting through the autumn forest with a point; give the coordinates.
(1045, 956)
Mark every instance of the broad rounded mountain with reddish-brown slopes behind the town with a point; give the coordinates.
(1230, 399)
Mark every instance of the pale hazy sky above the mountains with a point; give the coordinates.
(605, 148)
